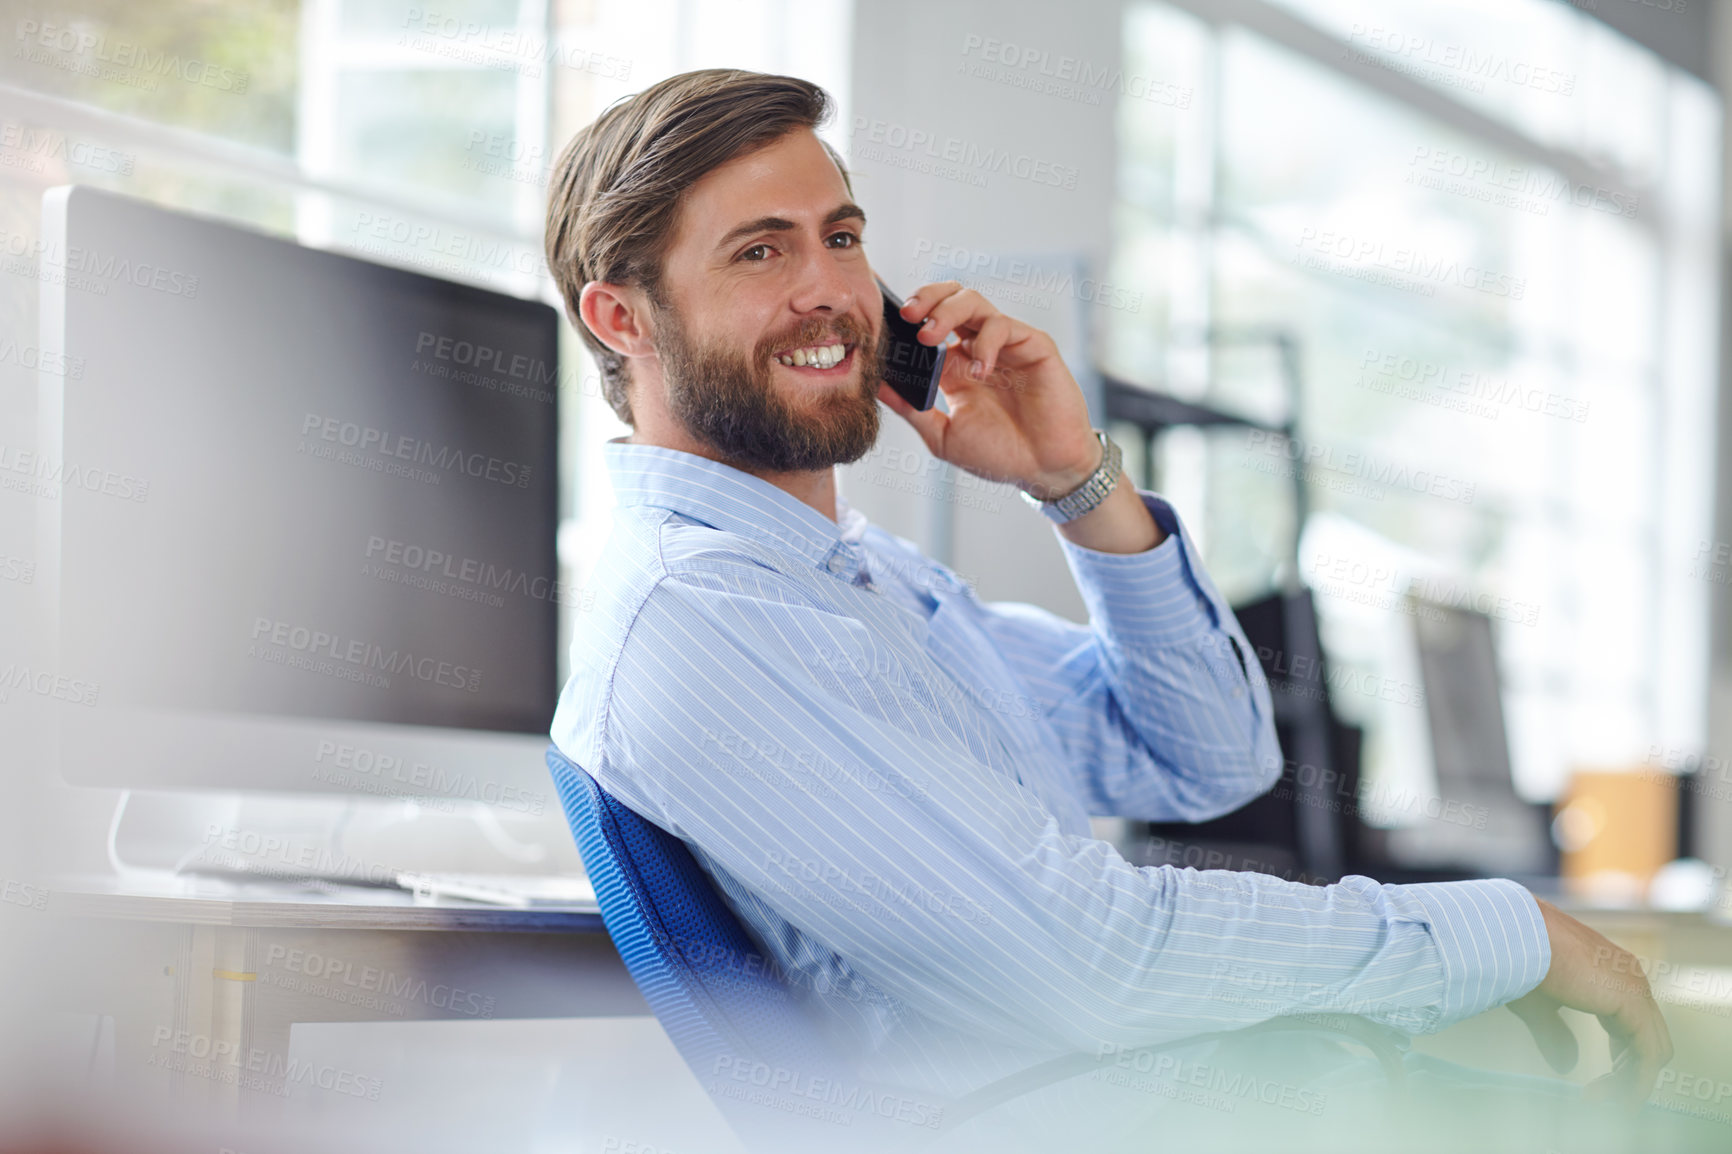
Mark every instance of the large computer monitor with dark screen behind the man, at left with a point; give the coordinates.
(306, 540)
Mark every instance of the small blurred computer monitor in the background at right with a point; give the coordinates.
(1483, 826)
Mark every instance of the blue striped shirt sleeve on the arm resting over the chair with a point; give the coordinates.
(843, 798)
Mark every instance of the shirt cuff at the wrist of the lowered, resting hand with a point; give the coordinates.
(1490, 938)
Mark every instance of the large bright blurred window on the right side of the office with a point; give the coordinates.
(1490, 230)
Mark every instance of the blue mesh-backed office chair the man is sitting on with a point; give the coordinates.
(739, 1025)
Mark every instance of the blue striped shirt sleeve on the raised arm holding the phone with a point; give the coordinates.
(1160, 703)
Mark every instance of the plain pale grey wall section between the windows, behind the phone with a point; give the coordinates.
(912, 75)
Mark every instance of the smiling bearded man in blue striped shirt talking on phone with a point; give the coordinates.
(889, 781)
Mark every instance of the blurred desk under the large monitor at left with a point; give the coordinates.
(195, 990)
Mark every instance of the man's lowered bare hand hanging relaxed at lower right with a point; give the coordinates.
(1591, 975)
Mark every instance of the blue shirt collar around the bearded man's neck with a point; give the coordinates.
(737, 502)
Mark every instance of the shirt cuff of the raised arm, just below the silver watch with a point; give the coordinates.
(1149, 599)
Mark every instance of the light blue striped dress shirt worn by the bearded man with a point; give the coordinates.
(891, 784)
